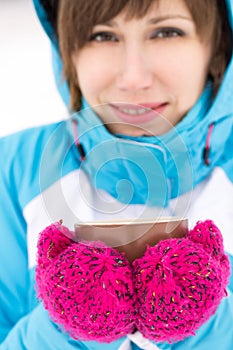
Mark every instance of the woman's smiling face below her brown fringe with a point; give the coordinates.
(143, 75)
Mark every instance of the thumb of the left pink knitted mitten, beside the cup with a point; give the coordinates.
(52, 241)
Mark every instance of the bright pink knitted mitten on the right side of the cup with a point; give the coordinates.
(180, 282)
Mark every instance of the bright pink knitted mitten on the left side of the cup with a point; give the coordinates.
(87, 287)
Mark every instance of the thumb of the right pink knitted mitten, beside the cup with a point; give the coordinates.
(208, 234)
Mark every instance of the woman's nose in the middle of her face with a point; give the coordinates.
(135, 73)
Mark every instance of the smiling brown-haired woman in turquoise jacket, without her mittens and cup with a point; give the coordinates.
(157, 76)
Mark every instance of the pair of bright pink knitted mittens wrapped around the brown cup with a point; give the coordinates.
(91, 290)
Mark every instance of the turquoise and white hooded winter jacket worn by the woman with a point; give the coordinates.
(45, 179)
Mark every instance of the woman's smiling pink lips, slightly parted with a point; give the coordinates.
(138, 114)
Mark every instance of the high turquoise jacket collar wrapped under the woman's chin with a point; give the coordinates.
(149, 170)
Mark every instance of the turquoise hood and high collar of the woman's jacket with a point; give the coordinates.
(180, 159)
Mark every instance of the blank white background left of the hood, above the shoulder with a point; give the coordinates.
(28, 95)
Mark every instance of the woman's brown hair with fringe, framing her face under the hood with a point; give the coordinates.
(76, 19)
